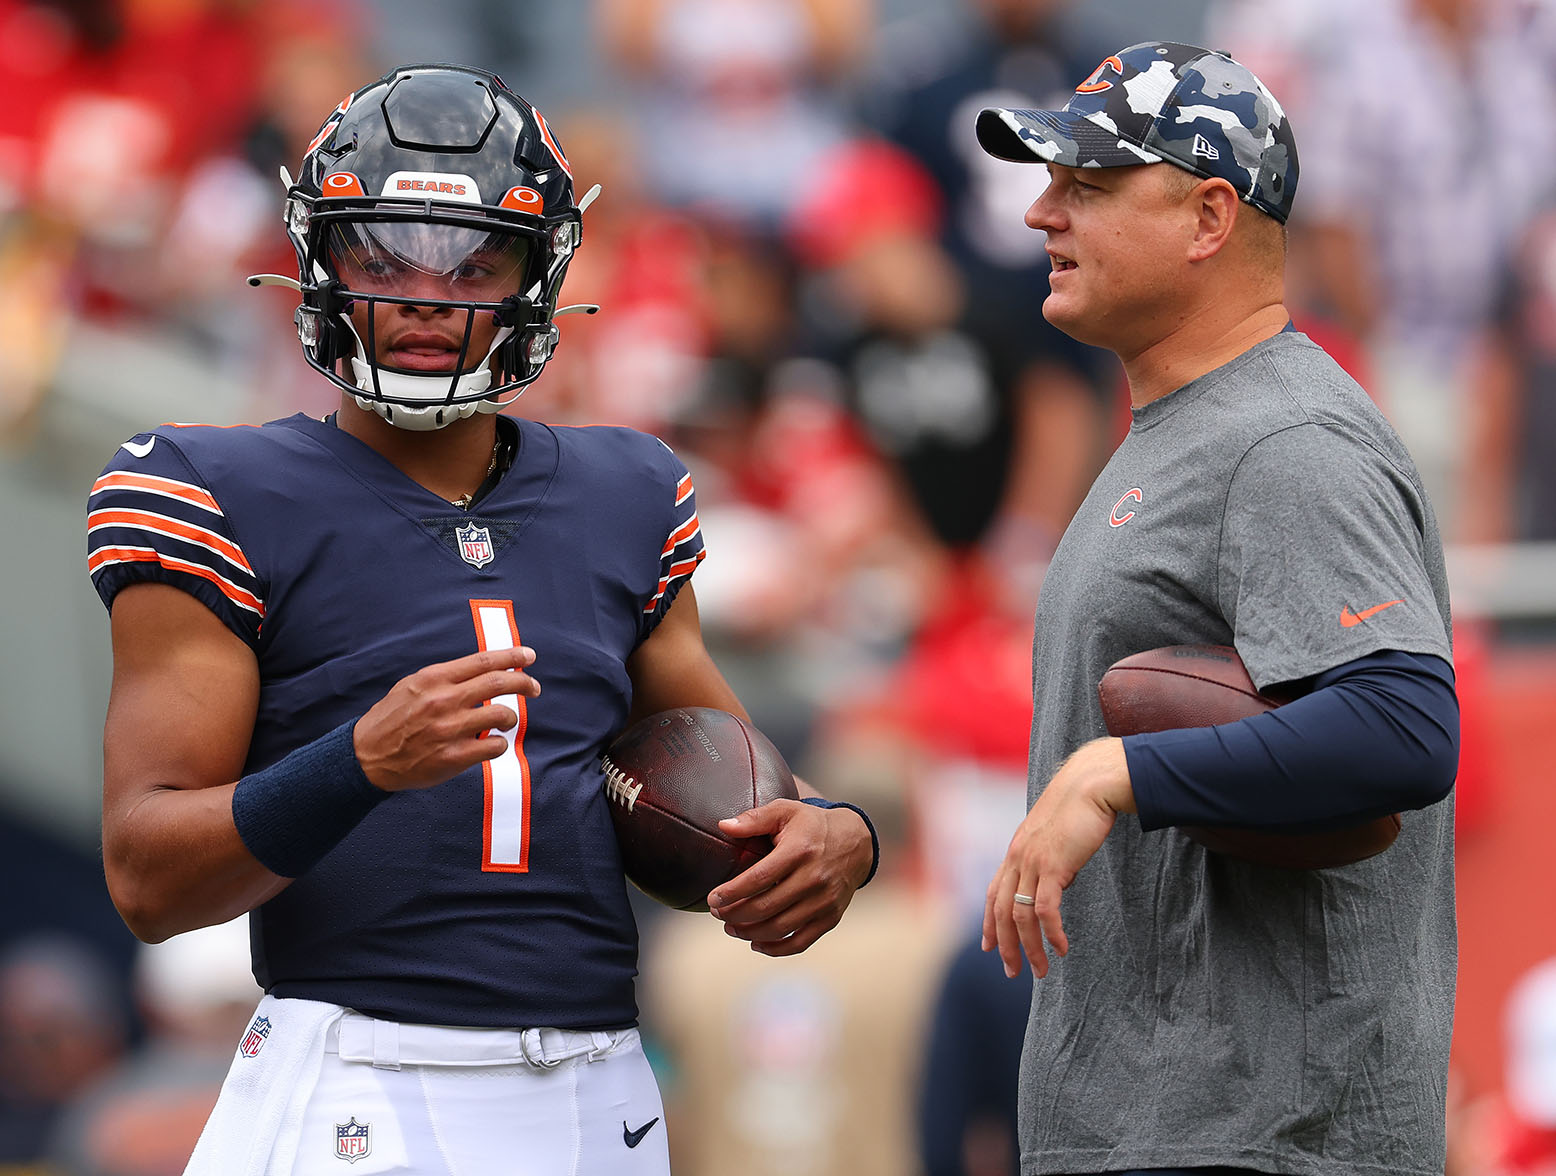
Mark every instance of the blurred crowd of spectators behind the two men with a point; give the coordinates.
(824, 298)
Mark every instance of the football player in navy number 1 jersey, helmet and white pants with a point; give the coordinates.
(328, 710)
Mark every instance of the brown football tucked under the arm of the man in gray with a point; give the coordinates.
(1205, 685)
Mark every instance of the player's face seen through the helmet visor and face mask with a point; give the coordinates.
(433, 265)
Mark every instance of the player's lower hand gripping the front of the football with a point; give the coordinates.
(801, 891)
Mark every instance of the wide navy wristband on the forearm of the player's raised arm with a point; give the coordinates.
(298, 810)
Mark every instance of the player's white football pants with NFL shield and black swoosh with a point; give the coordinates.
(331, 1093)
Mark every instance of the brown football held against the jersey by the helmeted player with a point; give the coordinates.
(671, 779)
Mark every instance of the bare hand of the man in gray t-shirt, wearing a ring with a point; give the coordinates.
(1059, 836)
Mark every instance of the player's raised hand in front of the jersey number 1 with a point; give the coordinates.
(441, 721)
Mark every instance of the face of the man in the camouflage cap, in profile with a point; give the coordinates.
(1116, 243)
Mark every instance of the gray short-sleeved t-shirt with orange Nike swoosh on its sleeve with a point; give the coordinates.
(1214, 1012)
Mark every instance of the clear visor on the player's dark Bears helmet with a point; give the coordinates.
(426, 261)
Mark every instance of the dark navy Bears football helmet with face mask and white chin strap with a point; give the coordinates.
(435, 187)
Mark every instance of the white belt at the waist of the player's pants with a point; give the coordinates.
(391, 1045)
